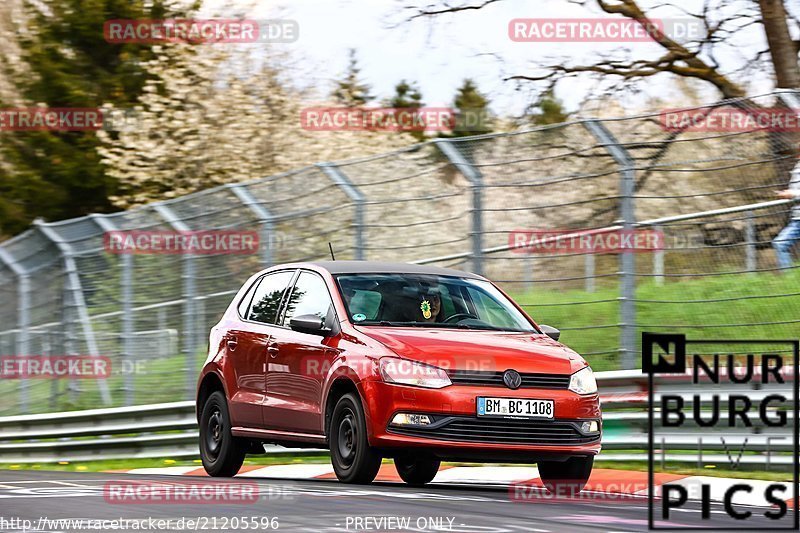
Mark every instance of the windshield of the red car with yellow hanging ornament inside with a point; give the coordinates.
(424, 300)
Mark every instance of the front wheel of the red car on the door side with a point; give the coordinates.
(354, 461)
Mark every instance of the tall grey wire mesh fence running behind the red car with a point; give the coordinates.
(458, 202)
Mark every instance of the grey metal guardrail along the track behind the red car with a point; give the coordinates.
(170, 429)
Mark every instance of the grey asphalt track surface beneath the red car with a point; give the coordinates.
(328, 506)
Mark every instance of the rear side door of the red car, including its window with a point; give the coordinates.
(247, 345)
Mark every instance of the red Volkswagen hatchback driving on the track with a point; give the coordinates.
(374, 360)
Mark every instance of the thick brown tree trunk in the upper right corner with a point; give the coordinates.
(781, 47)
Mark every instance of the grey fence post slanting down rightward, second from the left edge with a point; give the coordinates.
(74, 290)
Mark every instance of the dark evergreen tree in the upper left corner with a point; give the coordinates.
(56, 174)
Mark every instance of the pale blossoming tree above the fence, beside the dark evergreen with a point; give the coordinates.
(216, 115)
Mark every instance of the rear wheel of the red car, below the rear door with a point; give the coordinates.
(222, 453)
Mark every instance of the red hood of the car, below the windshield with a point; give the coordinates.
(477, 350)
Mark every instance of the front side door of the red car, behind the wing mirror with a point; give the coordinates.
(298, 362)
